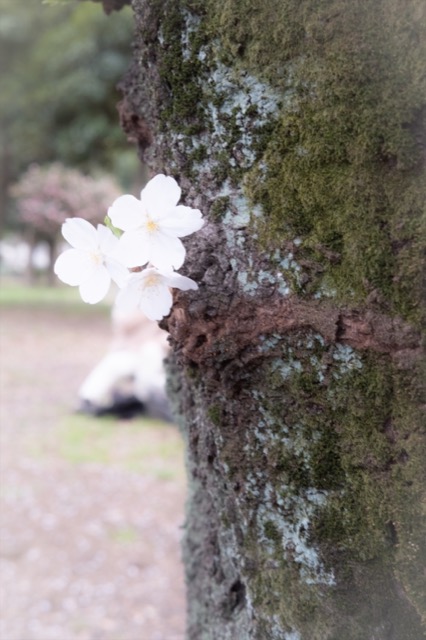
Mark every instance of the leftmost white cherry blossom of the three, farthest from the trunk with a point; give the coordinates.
(91, 262)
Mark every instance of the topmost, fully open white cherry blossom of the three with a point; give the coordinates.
(153, 225)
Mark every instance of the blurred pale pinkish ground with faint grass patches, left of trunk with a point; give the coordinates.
(91, 511)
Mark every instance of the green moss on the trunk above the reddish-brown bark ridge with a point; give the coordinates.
(344, 162)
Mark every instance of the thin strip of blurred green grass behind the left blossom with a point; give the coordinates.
(14, 292)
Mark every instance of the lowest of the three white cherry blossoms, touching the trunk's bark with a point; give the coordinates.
(149, 291)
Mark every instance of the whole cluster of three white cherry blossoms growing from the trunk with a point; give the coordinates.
(143, 261)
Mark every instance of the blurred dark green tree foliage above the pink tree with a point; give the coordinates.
(60, 65)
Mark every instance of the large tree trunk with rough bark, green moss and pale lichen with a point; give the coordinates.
(296, 126)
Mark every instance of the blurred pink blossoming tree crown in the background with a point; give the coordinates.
(46, 196)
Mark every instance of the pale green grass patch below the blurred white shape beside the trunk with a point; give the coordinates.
(142, 445)
